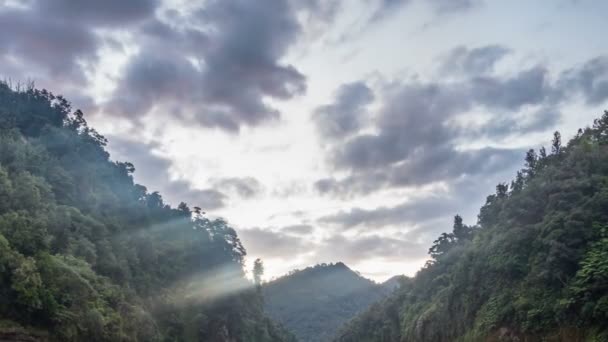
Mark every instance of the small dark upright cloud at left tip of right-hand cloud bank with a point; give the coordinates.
(345, 115)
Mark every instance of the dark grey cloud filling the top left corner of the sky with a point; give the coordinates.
(54, 41)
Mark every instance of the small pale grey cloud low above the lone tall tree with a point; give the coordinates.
(271, 244)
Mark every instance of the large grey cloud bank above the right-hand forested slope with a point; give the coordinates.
(416, 135)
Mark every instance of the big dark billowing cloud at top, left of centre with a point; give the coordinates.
(219, 70)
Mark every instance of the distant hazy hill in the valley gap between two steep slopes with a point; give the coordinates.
(313, 303)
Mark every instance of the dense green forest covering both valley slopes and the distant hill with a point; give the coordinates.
(87, 254)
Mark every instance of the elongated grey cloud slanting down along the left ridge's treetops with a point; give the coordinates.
(153, 170)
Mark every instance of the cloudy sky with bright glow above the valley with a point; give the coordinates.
(323, 131)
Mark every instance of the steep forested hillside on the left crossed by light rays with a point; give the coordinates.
(87, 255)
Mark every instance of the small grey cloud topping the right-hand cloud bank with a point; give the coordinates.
(473, 61)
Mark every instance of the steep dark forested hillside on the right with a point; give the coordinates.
(534, 268)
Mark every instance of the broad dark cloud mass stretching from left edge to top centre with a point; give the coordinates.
(219, 64)
